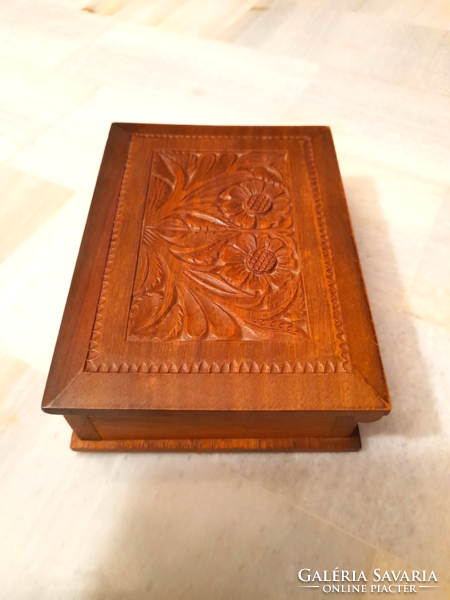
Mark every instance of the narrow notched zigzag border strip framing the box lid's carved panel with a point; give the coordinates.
(339, 366)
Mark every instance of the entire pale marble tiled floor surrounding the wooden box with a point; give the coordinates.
(226, 526)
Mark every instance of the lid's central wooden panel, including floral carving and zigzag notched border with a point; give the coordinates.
(213, 245)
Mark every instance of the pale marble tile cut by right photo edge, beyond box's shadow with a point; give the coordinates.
(429, 295)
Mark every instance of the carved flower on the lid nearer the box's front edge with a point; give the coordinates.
(258, 262)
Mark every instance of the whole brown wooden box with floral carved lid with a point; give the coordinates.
(217, 301)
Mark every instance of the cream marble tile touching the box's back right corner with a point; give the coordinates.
(395, 126)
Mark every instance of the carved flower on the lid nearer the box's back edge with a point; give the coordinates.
(255, 203)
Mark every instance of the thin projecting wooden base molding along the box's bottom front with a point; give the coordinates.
(317, 444)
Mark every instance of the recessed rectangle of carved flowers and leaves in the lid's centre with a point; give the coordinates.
(218, 256)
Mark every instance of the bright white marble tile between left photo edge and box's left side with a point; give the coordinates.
(35, 281)
